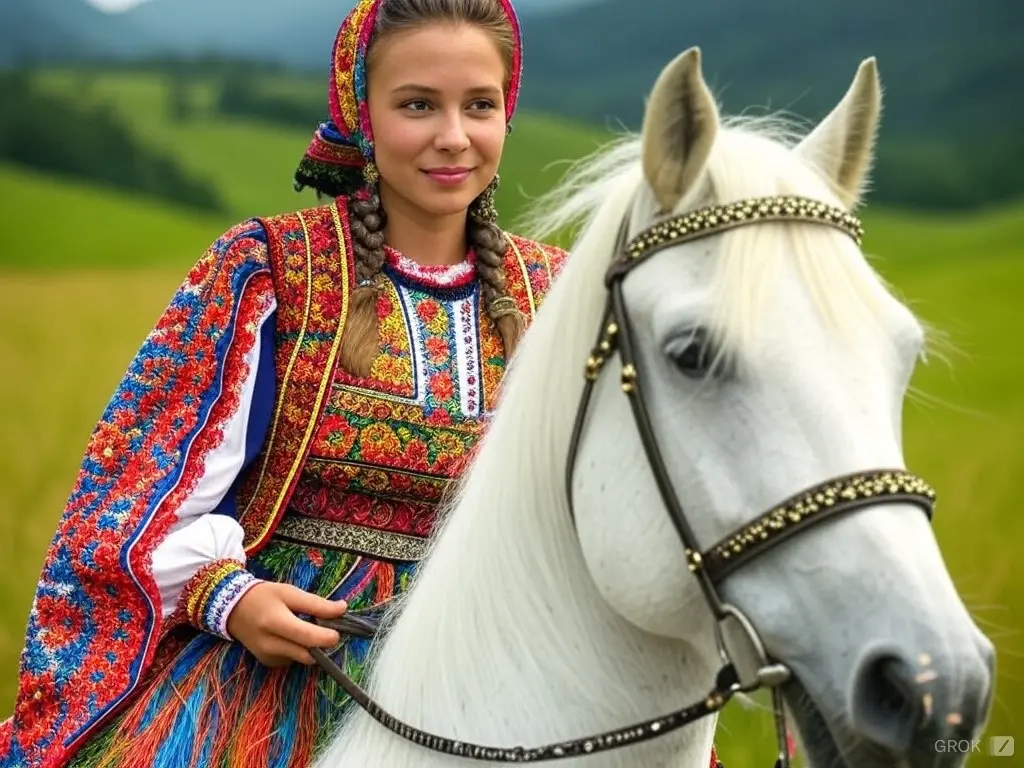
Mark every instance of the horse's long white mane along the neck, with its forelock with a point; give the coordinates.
(505, 584)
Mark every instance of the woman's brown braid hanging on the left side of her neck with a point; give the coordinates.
(361, 342)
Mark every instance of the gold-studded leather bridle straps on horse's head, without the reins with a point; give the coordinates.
(817, 504)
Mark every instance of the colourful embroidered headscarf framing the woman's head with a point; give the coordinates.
(344, 145)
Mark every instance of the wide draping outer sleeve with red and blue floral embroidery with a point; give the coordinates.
(95, 629)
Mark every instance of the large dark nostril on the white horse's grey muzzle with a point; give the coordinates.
(887, 707)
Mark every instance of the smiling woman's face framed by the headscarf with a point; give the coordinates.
(438, 110)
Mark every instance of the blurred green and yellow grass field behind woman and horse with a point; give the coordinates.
(84, 273)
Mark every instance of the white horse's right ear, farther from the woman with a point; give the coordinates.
(843, 145)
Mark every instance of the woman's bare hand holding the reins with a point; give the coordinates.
(265, 622)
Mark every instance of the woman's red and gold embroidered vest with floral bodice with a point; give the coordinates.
(362, 464)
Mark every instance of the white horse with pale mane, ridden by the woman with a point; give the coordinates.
(773, 358)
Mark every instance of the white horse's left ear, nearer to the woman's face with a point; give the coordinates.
(679, 129)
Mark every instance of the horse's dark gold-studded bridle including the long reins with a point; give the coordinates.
(747, 666)
